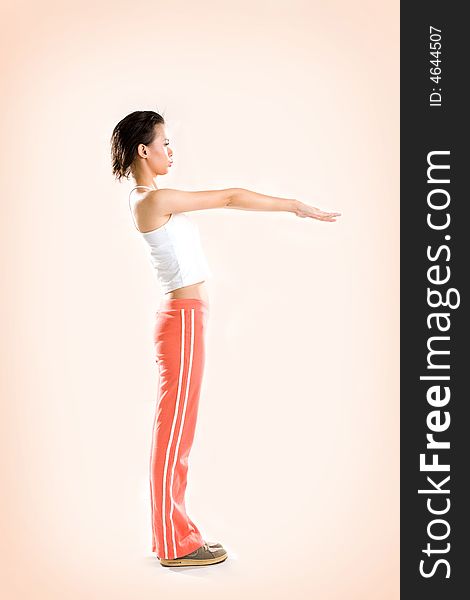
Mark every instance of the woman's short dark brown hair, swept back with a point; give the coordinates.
(137, 128)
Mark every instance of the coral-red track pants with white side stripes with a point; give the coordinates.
(179, 338)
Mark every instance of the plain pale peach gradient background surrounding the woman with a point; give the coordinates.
(295, 464)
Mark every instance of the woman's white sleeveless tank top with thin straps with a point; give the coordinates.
(176, 252)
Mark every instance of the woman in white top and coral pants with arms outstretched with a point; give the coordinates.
(140, 148)
